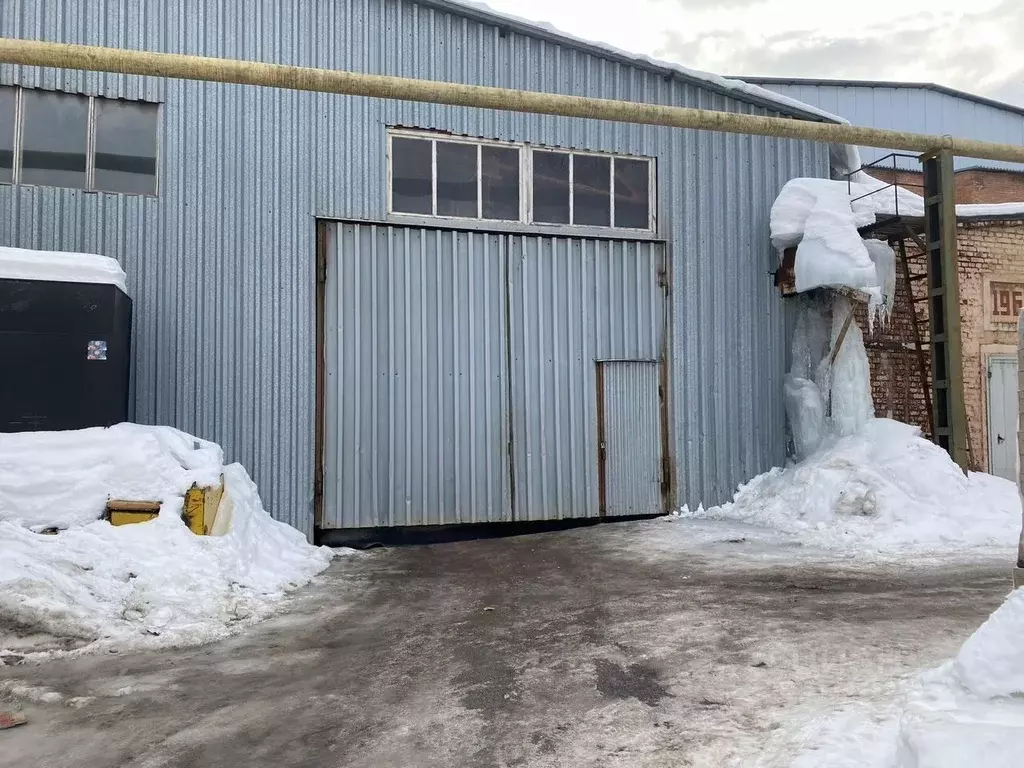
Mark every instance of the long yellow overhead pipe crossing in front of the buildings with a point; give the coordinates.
(96, 59)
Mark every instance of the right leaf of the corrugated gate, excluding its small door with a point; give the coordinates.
(574, 302)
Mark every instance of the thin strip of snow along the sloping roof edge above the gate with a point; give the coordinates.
(727, 87)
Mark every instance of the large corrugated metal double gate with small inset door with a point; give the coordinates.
(476, 377)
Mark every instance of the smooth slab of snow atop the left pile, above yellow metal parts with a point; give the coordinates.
(61, 480)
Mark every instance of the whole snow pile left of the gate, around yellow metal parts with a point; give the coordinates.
(144, 585)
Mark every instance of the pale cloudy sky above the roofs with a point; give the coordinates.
(976, 46)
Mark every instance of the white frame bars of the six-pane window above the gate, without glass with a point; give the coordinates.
(526, 151)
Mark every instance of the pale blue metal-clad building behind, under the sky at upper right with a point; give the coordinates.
(921, 108)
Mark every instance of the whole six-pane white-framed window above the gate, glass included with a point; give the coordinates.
(439, 176)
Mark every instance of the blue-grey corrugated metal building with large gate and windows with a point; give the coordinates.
(507, 332)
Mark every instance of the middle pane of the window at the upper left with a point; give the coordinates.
(54, 147)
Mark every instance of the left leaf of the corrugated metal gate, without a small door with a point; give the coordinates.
(415, 408)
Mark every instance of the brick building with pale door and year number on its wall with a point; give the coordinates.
(992, 294)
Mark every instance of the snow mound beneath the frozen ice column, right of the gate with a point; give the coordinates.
(885, 488)
